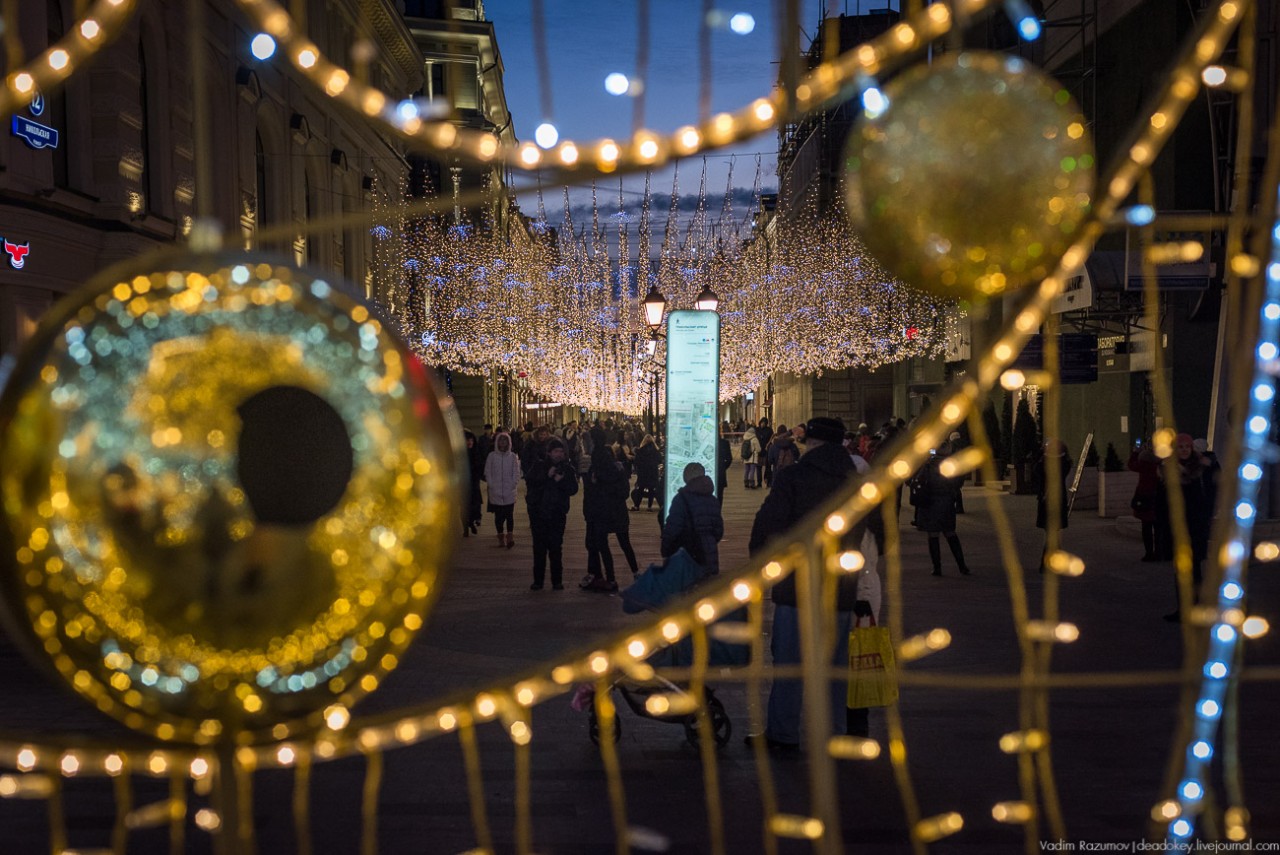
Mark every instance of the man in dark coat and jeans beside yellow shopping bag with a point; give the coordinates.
(822, 470)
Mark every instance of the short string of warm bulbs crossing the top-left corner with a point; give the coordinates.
(90, 35)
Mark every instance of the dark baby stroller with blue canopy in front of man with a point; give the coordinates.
(653, 589)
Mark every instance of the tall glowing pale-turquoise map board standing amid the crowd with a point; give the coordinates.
(693, 396)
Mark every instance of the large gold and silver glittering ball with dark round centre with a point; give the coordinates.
(230, 495)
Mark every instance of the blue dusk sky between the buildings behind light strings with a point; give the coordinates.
(589, 39)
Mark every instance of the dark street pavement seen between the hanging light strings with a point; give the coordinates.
(1110, 746)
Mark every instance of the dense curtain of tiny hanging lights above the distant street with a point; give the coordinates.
(572, 322)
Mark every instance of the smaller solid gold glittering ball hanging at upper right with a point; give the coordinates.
(975, 179)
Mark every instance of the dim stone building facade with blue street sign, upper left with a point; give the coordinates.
(122, 177)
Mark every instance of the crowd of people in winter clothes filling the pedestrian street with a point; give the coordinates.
(619, 468)
